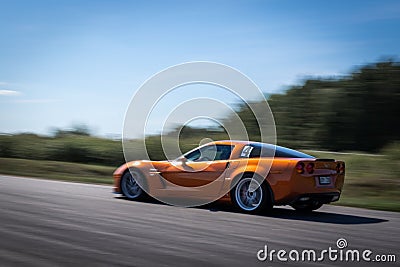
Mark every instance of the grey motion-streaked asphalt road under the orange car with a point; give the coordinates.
(48, 223)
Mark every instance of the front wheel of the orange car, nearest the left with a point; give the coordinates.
(130, 187)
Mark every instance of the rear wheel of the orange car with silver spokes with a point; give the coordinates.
(248, 200)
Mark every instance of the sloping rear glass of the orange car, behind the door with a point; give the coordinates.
(255, 150)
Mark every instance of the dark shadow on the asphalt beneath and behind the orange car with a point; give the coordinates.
(288, 214)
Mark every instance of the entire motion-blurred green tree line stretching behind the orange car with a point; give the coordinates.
(358, 112)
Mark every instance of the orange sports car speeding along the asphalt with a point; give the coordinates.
(253, 176)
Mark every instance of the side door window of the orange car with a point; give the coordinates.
(210, 153)
